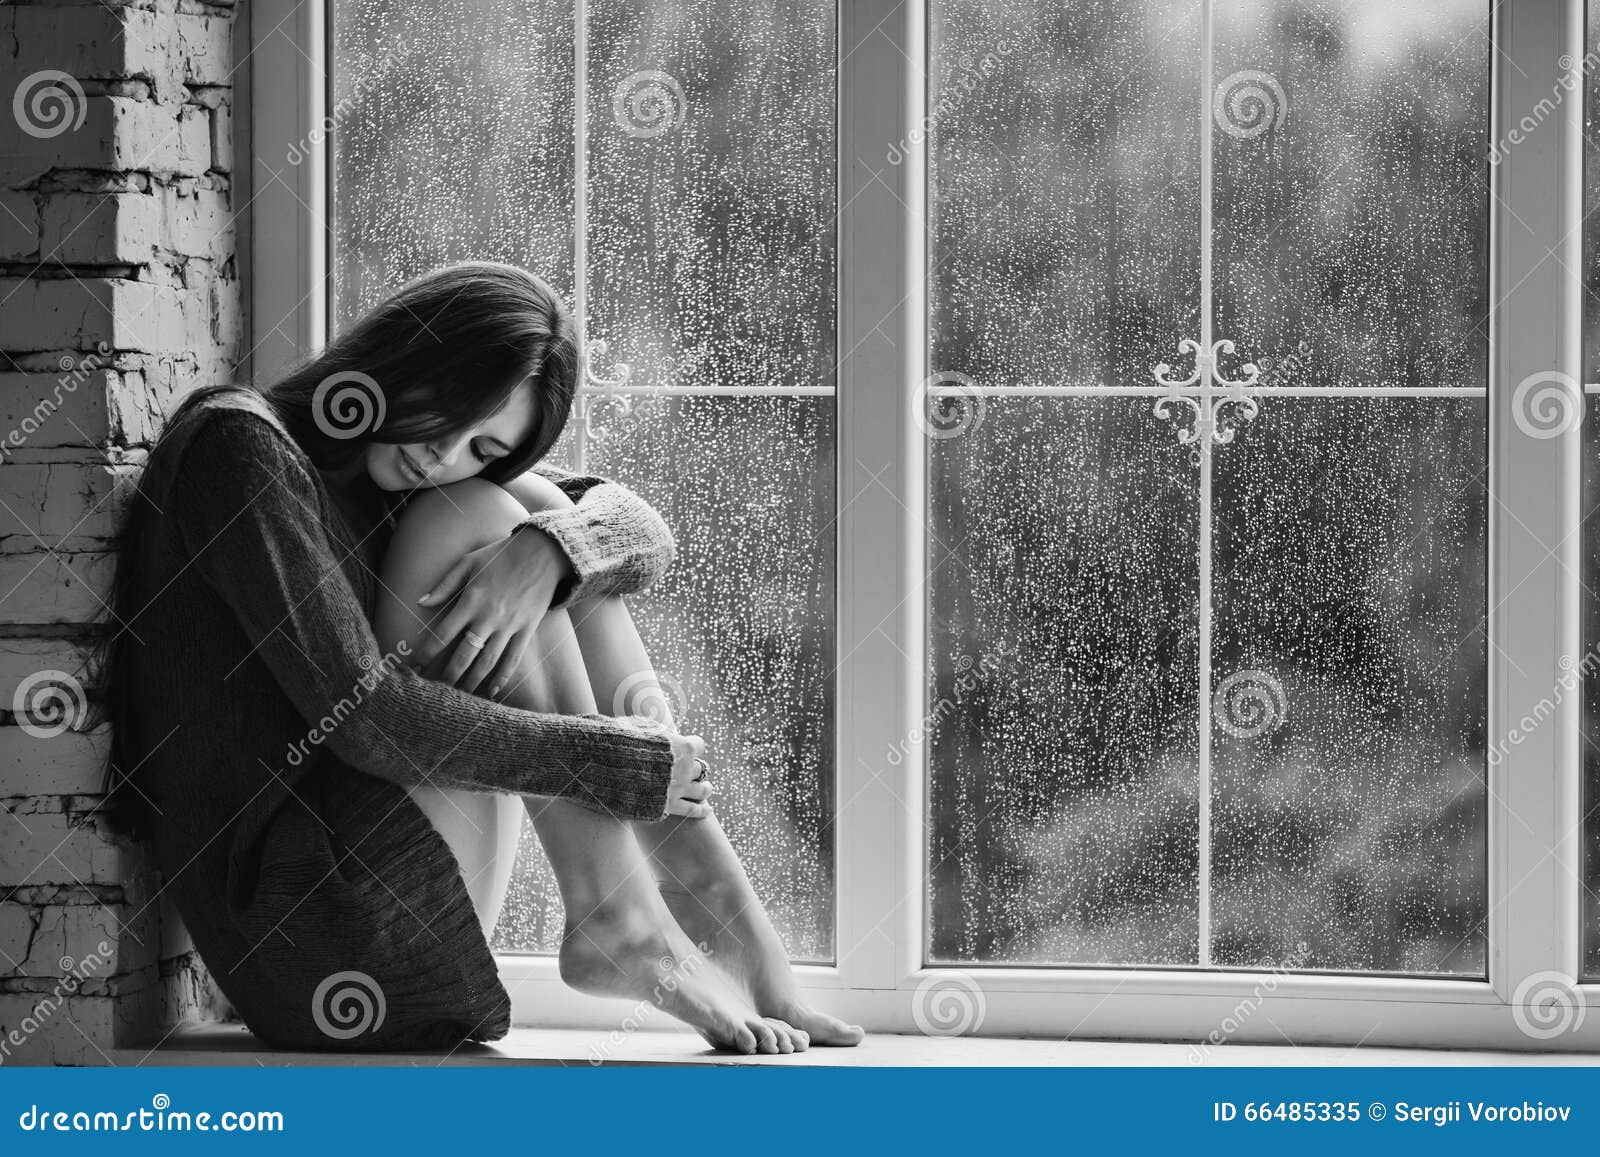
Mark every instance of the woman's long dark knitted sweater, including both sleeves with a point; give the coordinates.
(276, 740)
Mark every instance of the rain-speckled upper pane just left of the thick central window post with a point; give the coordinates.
(711, 190)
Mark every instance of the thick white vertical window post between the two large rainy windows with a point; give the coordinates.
(882, 343)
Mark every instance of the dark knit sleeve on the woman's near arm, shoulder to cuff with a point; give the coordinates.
(249, 514)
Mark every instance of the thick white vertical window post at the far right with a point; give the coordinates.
(1535, 546)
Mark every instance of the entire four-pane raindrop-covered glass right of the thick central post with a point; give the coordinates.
(1207, 484)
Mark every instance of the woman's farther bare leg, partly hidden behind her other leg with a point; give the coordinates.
(698, 871)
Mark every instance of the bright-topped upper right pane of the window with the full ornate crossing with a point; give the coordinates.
(1351, 190)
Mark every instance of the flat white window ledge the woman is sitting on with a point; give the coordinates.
(233, 1046)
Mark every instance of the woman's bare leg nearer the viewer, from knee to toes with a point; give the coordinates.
(620, 937)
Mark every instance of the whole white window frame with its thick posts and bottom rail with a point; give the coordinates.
(1535, 820)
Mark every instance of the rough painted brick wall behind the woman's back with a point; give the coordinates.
(119, 294)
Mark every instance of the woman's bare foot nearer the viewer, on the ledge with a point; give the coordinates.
(626, 953)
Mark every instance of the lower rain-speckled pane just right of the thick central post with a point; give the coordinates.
(1062, 710)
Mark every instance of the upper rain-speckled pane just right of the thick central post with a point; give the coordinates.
(1066, 190)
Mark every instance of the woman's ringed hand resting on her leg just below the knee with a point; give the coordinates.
(502, 591)
